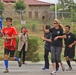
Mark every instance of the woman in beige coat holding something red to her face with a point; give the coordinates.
(23, 44)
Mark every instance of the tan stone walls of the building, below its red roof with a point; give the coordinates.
(31, 12)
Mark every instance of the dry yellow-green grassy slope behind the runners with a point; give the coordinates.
(34, 29)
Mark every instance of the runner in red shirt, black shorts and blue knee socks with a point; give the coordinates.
(9, 34)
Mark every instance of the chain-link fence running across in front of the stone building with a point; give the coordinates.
(27, 16)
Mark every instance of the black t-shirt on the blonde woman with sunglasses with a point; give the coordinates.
(55, 33)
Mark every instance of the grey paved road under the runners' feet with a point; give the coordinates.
(33, 69)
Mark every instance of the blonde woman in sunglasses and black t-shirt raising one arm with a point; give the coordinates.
(56, 45)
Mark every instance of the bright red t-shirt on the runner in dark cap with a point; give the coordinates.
(9, 32)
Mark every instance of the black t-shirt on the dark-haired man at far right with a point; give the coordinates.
(70, 38)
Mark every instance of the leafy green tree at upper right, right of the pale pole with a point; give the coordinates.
(68, 6)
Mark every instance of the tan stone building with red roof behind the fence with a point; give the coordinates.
(34, 9)
